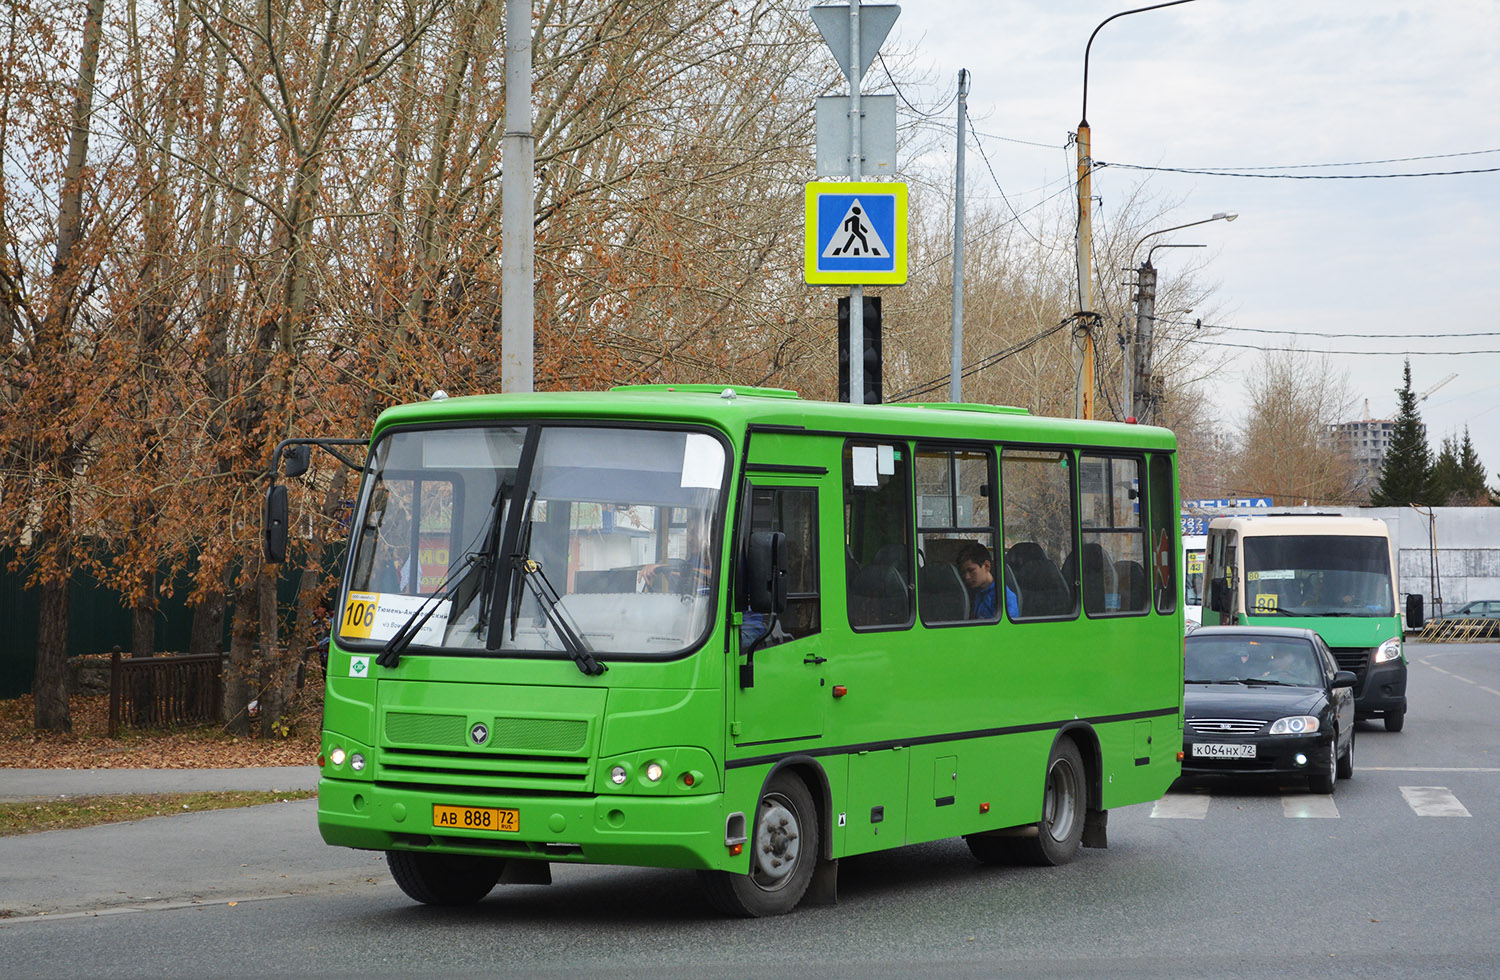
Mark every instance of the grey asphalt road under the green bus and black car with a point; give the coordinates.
(1396, 876)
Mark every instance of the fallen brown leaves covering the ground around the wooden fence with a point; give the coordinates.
(91, 747)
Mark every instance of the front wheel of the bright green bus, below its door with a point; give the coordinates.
(784, 853)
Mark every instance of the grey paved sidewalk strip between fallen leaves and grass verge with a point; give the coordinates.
(41, 784)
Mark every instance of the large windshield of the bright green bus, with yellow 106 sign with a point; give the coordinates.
(538, 540)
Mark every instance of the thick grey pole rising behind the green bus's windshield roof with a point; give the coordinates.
(518, 209)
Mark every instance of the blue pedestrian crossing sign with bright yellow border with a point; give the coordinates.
(856, 233)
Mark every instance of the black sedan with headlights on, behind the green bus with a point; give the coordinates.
(1267, 702)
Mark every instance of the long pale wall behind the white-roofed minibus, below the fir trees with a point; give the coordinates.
(1466, 553)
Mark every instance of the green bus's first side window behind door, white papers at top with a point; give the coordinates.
(878, 535)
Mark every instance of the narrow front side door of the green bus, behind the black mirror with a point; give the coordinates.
(778, 675)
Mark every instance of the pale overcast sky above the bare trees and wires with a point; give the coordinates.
(1261, 85)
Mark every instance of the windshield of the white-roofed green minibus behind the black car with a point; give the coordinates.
(1318, 576)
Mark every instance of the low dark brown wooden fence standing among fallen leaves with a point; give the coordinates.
(158, 693)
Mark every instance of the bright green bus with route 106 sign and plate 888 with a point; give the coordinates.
(734, 631)
